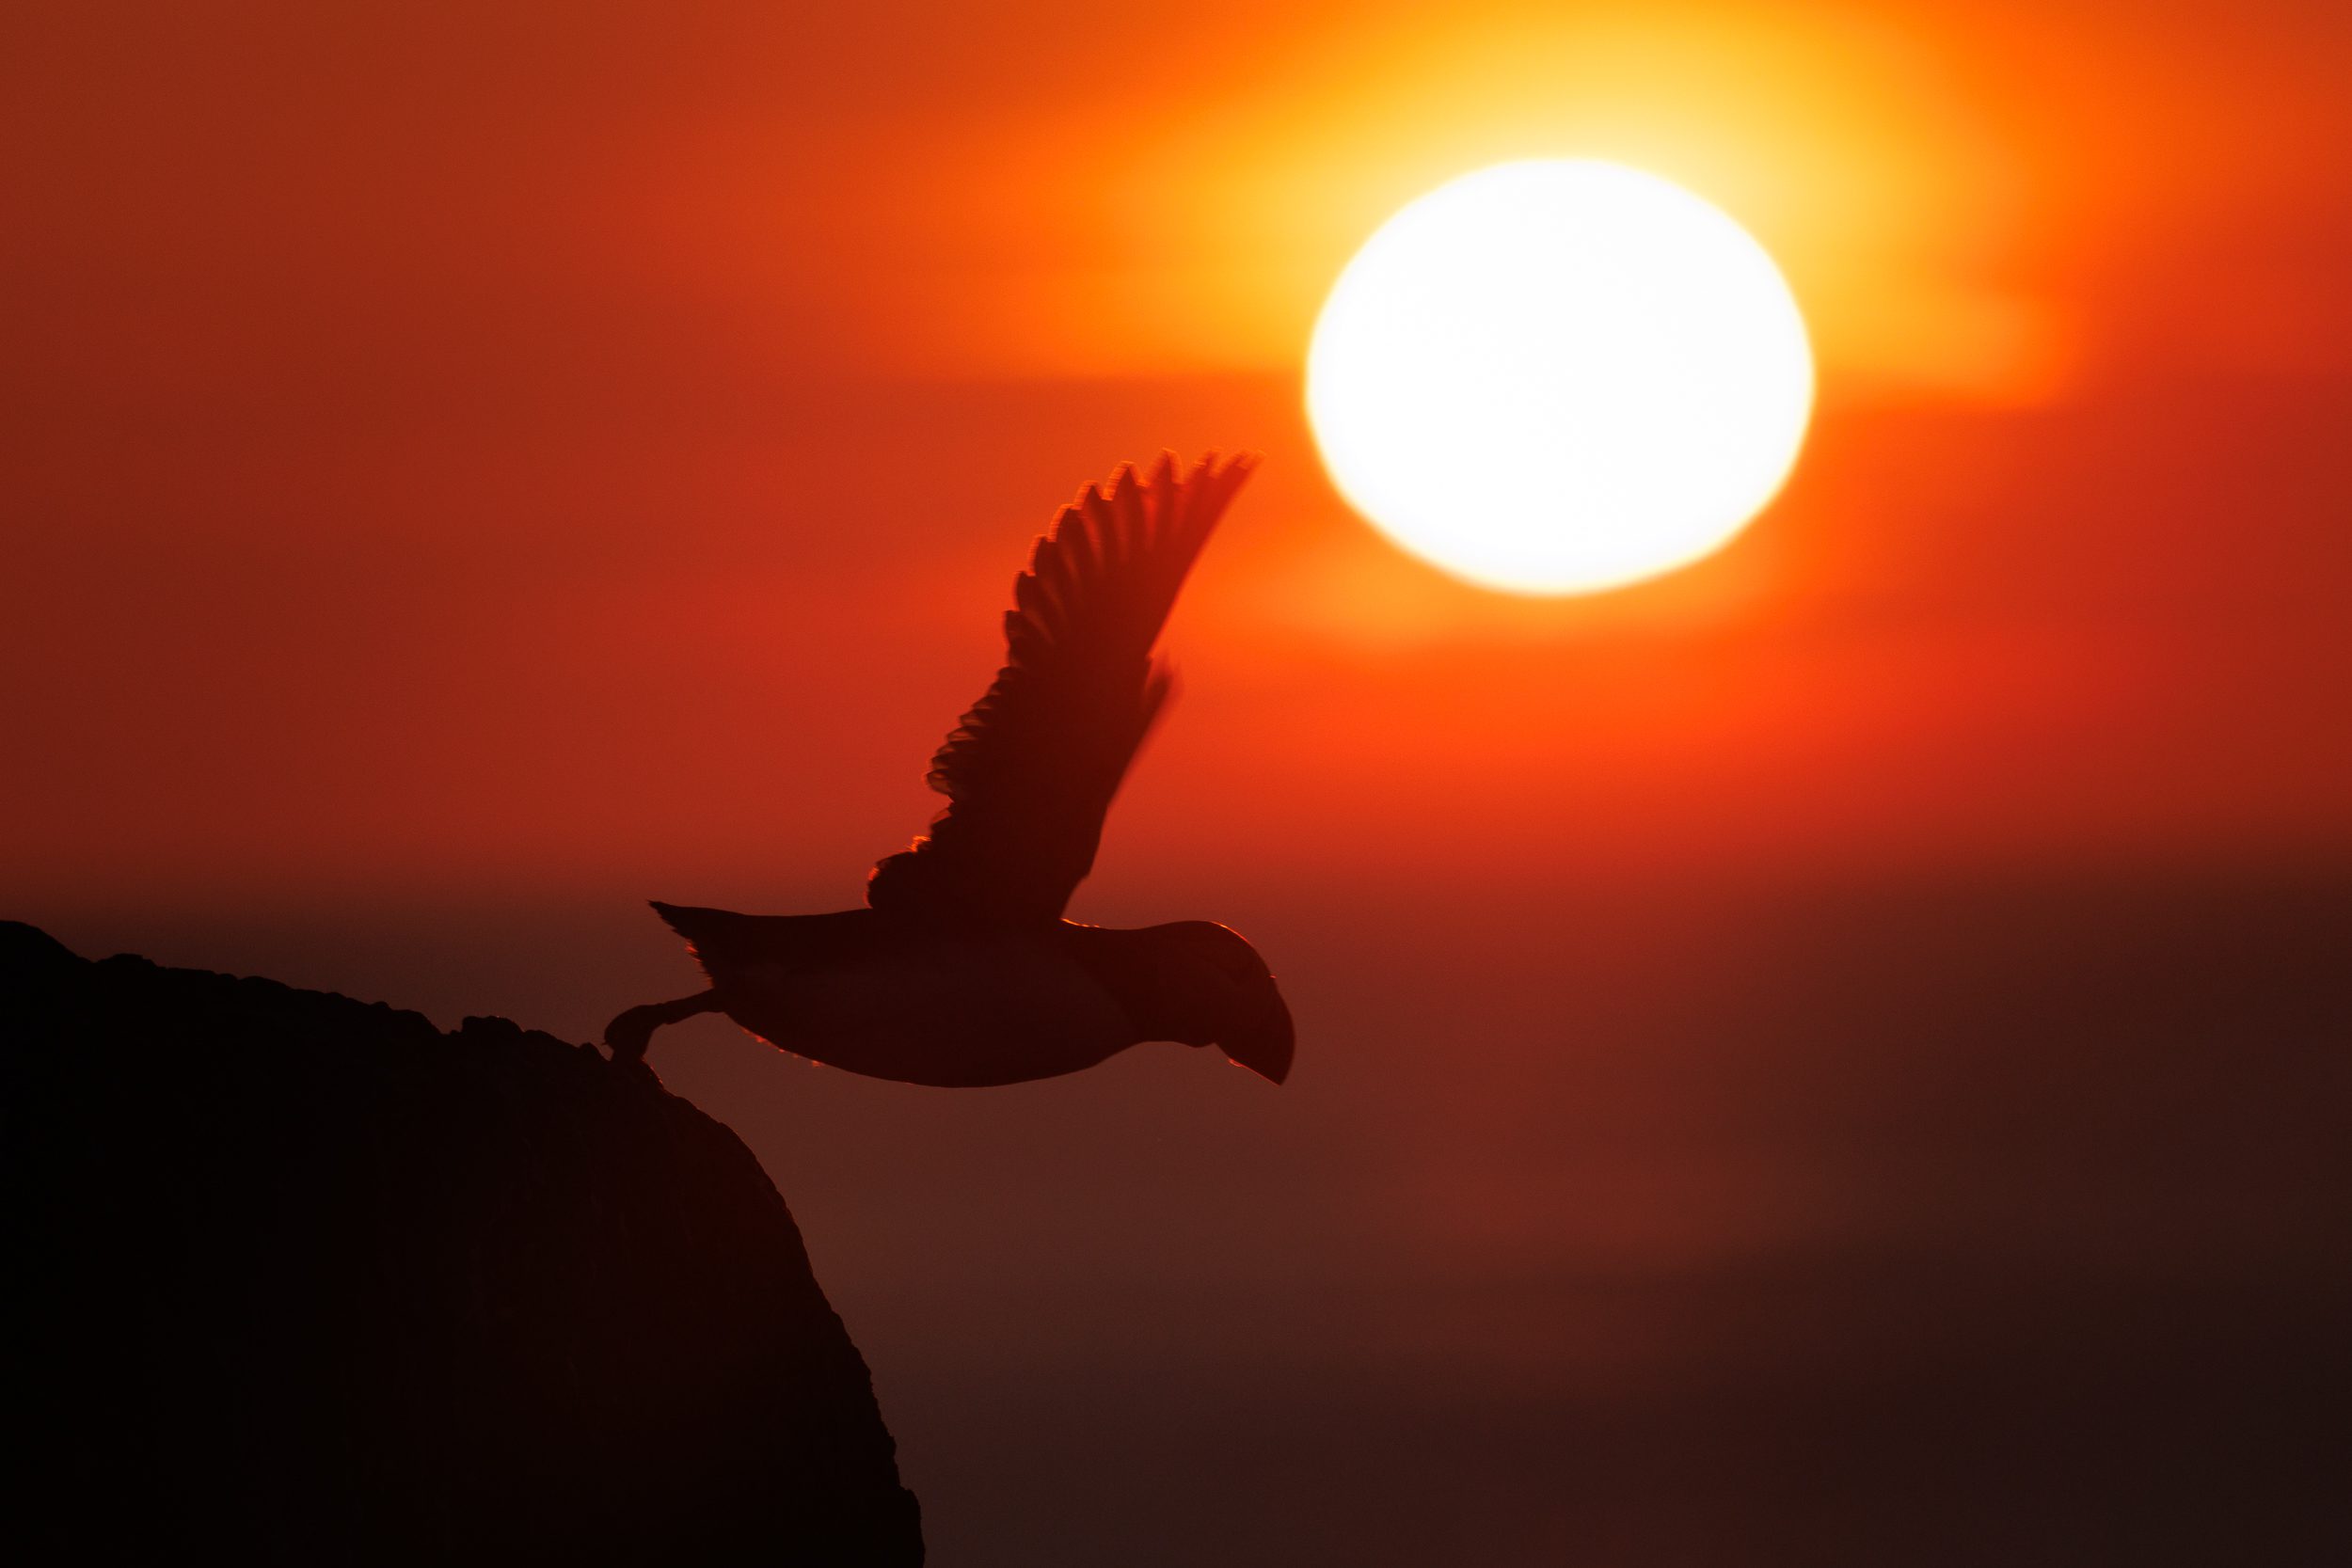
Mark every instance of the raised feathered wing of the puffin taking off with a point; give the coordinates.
(1031, 770)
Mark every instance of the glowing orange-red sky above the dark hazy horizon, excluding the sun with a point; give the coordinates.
(462, 450)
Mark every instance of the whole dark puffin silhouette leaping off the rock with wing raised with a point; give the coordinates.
(961, 970)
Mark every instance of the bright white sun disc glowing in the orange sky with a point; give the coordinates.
(1558, 377)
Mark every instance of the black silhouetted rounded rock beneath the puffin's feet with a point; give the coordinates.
(316, 1282)
